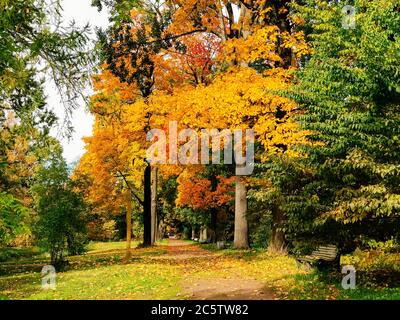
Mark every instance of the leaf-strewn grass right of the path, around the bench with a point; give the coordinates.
(377, 276)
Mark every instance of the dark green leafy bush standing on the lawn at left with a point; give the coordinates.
(61, 221)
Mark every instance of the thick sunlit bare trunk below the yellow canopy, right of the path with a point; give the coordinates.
(241, 238)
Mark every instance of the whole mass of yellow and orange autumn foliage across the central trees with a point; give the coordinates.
(210, 86)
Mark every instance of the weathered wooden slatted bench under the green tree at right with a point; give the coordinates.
(324, 256)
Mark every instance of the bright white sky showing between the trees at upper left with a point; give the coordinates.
(82, 12)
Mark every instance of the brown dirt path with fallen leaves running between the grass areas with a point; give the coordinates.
(234, 287)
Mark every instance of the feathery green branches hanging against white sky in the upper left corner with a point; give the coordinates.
(35, 46)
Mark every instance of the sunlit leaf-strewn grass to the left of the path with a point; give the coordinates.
(102, 273)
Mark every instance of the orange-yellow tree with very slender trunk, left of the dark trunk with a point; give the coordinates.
(106, 174)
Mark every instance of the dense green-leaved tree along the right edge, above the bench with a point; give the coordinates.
(346, 90)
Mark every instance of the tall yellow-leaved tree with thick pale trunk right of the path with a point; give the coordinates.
(258, 42)
